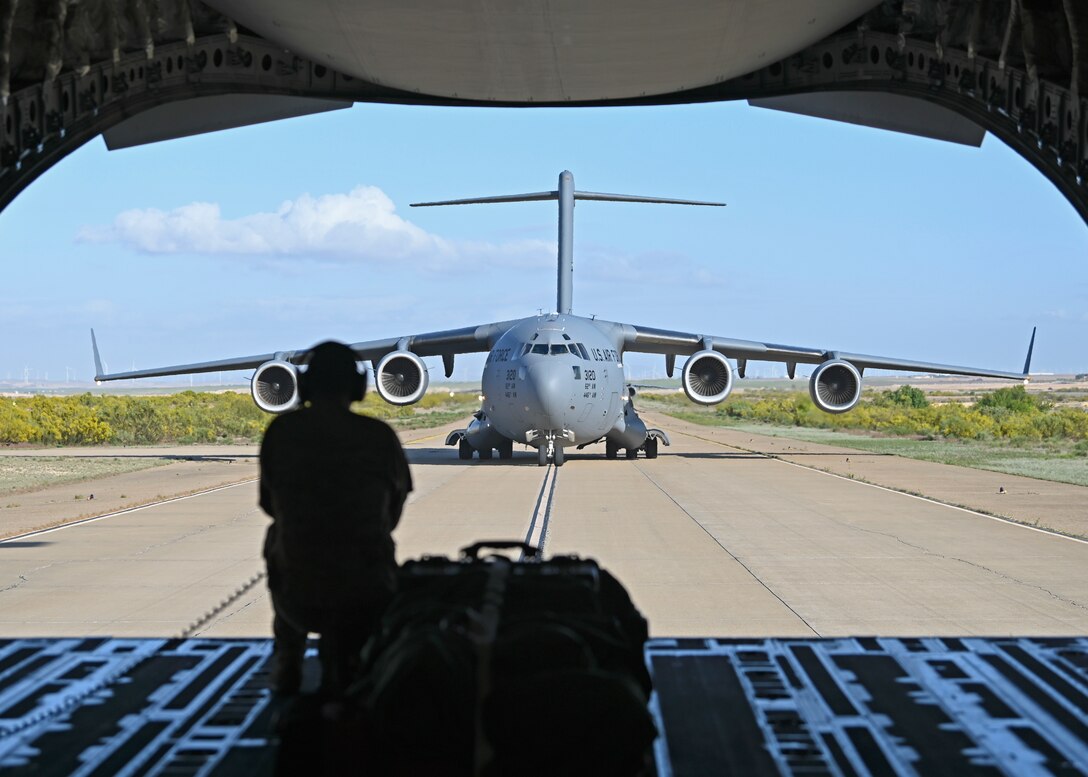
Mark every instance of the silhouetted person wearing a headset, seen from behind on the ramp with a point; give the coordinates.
(335, 484)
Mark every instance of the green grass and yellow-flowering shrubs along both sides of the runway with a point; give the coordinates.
(1037, 437)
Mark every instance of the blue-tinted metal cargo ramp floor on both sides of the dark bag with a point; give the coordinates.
(845, 707)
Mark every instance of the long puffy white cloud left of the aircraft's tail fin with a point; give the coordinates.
(361, 226)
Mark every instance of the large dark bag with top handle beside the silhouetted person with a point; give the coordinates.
(479, 661)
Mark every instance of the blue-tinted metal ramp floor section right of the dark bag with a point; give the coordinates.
(872, 707)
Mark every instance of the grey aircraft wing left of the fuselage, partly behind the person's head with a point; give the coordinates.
(447, 344)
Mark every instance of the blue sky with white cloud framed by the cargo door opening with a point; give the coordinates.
(280, 236)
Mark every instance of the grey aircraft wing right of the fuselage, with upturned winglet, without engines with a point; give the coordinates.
(672, 344)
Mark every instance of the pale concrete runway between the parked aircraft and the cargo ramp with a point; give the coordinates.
(711, 540)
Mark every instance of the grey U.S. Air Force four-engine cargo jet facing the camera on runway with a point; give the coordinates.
(557, 381)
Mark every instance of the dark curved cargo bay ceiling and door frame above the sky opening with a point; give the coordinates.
(141, 71)
